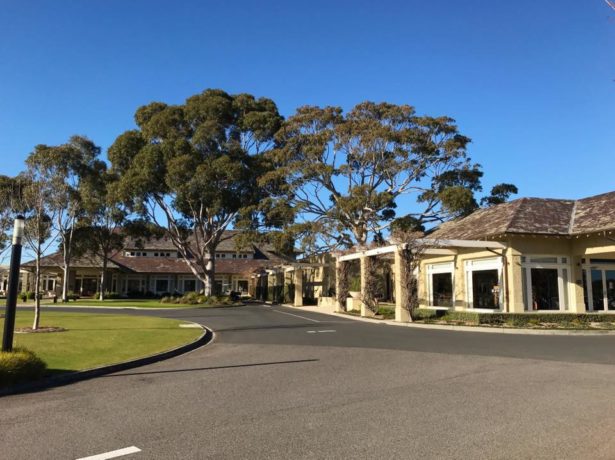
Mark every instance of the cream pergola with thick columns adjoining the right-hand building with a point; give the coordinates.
(428, 246)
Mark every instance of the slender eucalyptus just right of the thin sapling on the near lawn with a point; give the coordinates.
(64, 169)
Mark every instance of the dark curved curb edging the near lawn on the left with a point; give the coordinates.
(77, 376)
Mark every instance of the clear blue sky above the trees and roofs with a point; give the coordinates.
(530, 81)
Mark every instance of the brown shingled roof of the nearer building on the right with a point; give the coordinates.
(542, 216)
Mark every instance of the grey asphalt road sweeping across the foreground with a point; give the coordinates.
(282, 383)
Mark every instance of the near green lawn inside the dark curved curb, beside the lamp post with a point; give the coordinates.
(93, 340)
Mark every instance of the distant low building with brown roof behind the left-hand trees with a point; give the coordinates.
(155, 266)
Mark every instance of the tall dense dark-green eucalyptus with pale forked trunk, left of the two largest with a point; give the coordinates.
(192, 169)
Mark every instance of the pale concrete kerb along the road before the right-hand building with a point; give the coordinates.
(443, 327)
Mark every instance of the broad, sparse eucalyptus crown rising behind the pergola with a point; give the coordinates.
(343, 174)
